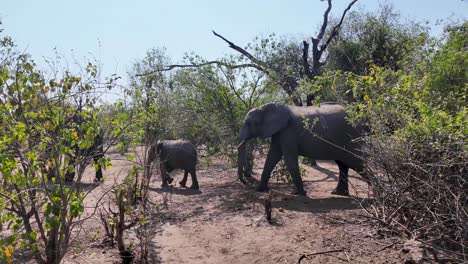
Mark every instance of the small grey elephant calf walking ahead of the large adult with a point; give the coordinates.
(175, 154)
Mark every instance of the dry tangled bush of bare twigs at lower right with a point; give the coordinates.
(421, 188)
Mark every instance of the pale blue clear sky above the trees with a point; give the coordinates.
(119, 32)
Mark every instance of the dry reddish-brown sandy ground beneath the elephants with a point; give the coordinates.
(224, 222)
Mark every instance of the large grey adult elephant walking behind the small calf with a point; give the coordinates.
(321, 133)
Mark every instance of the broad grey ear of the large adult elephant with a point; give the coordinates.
(275, 118)
